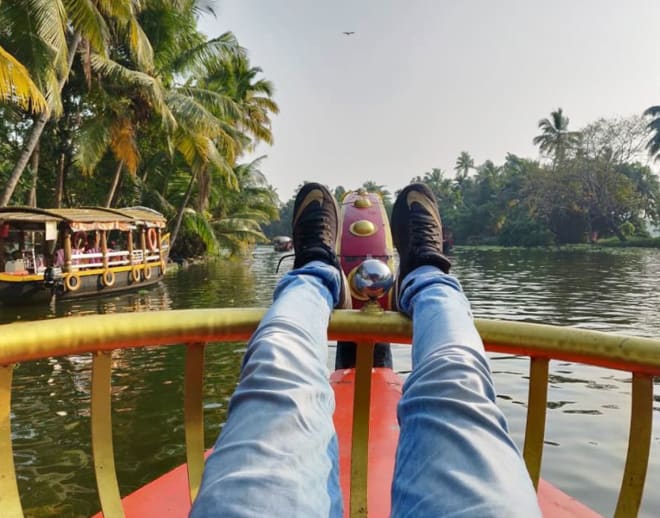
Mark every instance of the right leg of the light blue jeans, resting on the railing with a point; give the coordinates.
(455, 456)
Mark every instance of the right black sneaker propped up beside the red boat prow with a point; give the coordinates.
(417, 232)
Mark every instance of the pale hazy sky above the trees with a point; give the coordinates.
(422, 80)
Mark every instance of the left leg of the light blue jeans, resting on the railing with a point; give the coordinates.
(277, 454)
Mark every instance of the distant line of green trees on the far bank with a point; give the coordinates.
(589, 184)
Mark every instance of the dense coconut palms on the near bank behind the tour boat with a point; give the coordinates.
(118, 102)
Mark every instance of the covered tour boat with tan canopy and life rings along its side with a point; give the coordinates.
(69, 253)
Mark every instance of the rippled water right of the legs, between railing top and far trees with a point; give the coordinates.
(614, 290)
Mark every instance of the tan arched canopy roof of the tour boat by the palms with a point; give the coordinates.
(85, 218)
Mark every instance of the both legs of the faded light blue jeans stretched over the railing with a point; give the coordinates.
(277, 454)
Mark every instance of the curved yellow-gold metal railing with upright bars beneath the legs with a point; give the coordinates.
(100, 334)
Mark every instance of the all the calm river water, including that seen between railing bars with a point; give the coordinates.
(588, 407)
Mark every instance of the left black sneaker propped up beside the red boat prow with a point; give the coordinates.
(315, 228)
